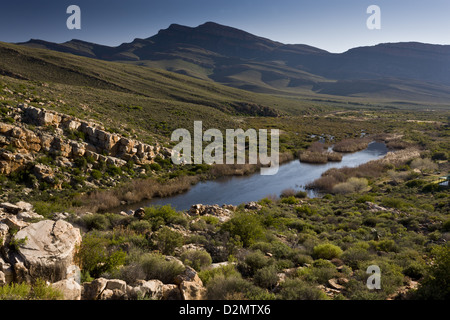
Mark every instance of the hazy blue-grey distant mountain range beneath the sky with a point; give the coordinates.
(405, 71)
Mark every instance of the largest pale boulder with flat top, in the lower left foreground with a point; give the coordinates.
(49, 249)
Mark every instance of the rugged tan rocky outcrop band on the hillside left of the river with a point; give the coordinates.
(36, 132)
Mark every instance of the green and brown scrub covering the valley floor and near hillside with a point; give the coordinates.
(389, 213)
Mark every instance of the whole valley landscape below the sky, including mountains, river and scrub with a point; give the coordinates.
(85, 138)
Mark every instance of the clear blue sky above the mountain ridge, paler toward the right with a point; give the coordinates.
(332, 25)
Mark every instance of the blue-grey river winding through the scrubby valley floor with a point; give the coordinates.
(237, 190)
